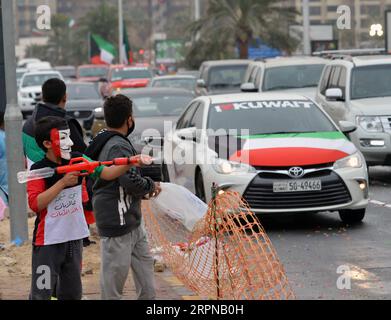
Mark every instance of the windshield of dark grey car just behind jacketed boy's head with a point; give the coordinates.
(160, 105)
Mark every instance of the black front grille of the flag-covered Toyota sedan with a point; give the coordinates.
(260, 193)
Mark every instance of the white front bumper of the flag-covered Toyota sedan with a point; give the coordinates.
(349, 177)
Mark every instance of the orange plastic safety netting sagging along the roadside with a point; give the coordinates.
(228, 255)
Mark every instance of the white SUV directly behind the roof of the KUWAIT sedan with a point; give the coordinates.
(299, 75)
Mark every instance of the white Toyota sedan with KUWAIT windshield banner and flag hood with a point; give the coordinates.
(281, 152)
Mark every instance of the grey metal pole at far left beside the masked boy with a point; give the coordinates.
(13, 128)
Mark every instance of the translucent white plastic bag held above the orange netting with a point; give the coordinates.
(180, 204)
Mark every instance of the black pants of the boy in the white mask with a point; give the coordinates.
(56, 271)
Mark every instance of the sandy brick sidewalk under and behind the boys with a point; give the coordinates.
(15, 270)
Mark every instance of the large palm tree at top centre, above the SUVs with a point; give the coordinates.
(243, 20)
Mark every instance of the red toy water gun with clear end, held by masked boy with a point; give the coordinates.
(81, 165)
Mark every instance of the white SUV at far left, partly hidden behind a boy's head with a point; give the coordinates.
(30, 89)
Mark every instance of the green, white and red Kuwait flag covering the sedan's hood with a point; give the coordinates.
(301, 149)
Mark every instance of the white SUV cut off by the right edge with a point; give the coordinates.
(358, 90)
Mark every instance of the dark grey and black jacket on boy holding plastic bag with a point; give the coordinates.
(117, 204)
